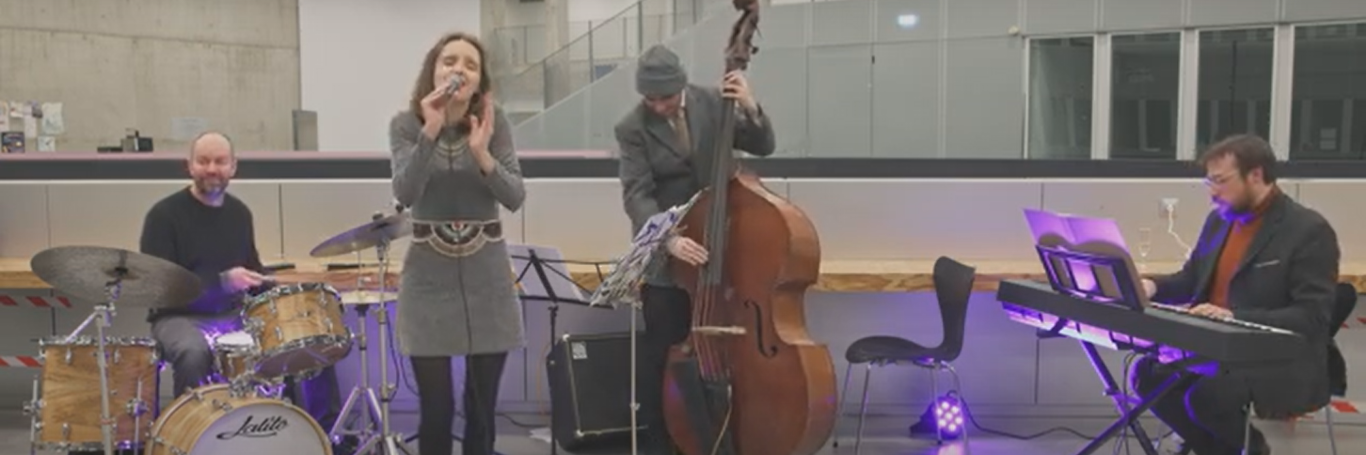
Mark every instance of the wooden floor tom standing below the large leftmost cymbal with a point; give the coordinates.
(69, 406)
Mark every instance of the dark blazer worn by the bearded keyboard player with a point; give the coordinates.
(1287, 279)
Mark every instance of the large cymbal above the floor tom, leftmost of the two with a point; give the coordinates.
(147, 282)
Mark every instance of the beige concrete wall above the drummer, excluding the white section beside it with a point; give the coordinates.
(143, 64)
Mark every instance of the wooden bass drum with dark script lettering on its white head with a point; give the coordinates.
(212, 420)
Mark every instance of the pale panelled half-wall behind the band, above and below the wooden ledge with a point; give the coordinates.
(1003, 366)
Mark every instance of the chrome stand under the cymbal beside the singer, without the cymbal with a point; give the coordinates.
(389, 442)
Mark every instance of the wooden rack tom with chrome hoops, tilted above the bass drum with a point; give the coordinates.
(298, 330)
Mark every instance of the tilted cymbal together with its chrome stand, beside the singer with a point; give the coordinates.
(376, 234)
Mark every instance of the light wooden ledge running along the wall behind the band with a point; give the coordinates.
(842, 277)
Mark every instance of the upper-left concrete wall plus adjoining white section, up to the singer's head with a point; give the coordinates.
(241, 66)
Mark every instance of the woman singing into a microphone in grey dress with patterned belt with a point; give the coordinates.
(454, 165)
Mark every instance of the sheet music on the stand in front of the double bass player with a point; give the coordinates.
(629, 273)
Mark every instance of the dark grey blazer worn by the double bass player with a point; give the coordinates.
(656, 176)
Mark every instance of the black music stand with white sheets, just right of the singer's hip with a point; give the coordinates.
(550, 281)
